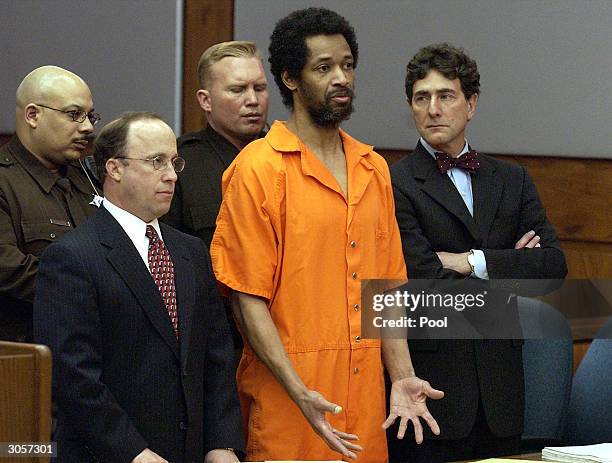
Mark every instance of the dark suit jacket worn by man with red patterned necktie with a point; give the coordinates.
(121, 380)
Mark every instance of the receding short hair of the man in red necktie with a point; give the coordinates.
(112, 139)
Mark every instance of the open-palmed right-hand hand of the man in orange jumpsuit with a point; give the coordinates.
(408, 396)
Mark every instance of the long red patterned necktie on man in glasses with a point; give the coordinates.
(162, 271)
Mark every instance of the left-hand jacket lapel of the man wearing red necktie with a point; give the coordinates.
(125, 259)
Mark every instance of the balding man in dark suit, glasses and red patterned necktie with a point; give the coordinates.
(129, 307)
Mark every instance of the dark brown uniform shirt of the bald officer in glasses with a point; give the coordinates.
(37, 207)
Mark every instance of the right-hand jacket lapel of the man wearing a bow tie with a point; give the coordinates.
(486, 191)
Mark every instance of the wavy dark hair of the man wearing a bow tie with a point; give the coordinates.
(452, 62)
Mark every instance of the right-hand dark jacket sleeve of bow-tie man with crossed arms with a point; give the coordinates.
(548, 261)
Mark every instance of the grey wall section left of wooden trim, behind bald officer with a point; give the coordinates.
(128, 51)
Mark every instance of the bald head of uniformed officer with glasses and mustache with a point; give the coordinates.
(44, 124)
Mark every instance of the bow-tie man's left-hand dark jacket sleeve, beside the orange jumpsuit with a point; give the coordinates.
(421, 260)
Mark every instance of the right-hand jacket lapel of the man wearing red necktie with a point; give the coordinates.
(185, 284)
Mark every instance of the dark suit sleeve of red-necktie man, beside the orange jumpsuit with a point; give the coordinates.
(223, 425)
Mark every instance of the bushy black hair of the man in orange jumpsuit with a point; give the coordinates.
(288, 50)
